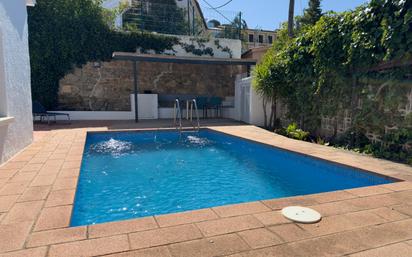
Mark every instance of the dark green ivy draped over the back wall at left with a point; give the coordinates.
(64, 34)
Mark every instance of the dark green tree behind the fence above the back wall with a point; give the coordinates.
(162, 16)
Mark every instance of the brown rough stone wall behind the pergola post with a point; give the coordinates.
(106, 86)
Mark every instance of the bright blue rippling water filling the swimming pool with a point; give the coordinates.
(127, 175)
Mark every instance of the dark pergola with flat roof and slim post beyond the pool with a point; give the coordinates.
(136, 58)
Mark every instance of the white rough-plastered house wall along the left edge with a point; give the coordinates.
(15, 93)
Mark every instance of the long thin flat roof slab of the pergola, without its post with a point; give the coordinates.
(125, 56)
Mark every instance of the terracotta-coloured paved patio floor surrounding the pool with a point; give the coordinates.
(37, 190)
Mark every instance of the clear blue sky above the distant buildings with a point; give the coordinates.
(269, 14)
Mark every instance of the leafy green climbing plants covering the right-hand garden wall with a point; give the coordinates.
(354, 65)
